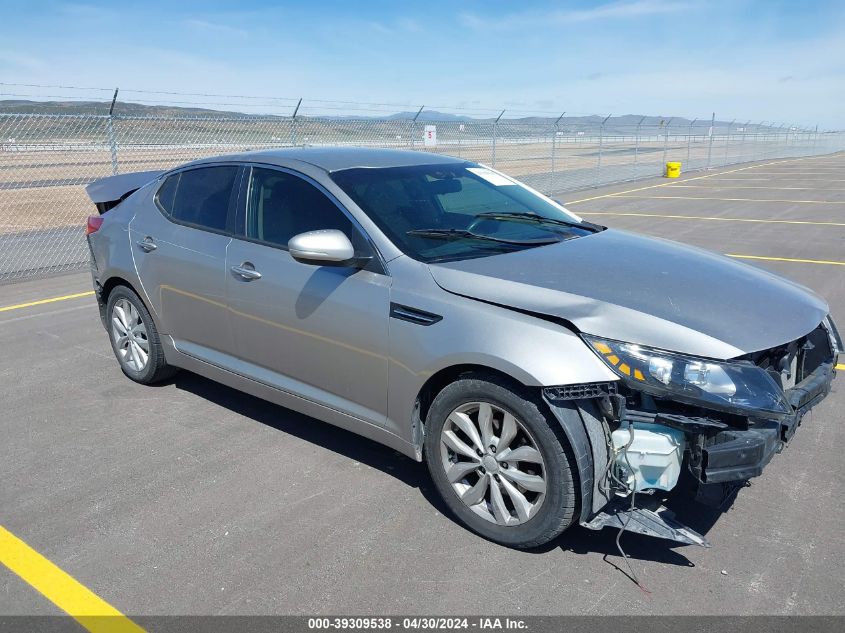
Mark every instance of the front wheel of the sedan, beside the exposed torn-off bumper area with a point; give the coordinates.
(500, 463)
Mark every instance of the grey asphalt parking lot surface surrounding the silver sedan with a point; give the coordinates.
(191, 498)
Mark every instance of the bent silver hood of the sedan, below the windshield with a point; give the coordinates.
(644, 290)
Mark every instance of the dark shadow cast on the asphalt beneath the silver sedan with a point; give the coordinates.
(577, 539)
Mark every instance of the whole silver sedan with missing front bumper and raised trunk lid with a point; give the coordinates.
(546, 369)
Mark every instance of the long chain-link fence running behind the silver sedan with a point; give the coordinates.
(46, 159)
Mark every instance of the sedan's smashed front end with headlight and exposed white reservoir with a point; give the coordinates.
(718, 423)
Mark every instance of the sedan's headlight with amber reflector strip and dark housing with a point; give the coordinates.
(718, 385)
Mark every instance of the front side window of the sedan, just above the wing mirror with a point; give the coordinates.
(281, 205)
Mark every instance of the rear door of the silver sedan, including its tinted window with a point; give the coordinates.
(179, 250)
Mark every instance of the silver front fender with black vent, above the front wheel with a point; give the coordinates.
(533, 351)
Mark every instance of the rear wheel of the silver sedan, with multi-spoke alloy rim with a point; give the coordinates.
(134, 338)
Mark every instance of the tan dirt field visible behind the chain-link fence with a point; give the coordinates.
(45, 189)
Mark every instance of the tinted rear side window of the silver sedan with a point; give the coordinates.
(199, 196)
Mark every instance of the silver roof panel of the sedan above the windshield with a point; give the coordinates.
(337, 158)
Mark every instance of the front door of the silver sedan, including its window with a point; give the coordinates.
(319, 332)
